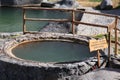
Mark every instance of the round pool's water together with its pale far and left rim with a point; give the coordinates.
(47, 47)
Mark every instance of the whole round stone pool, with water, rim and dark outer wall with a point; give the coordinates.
(47, 56)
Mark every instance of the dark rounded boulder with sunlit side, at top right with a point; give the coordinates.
(106, 4)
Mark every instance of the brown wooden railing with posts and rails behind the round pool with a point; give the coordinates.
(73, 21)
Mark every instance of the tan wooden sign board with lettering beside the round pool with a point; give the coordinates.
(97, 44)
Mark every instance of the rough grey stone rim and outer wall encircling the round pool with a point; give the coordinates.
(57, 69)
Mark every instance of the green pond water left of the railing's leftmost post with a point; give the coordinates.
(10, 19)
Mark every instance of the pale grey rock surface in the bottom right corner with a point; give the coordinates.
(102, 74)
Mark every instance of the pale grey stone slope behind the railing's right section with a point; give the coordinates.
(96, 19)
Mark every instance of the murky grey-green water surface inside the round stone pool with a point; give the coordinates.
(52, 51)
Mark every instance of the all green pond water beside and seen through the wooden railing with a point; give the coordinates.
(11, 19)
